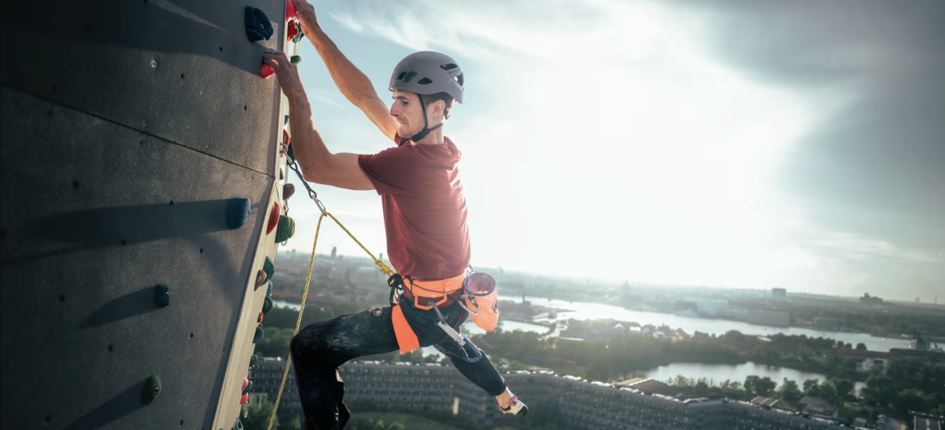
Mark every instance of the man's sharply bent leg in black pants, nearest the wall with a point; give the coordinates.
(320, 348)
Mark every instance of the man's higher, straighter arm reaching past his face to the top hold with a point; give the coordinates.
(354, 84)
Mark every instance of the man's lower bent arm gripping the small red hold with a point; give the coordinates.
(316, 162)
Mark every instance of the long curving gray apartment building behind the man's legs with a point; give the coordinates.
(640, 404)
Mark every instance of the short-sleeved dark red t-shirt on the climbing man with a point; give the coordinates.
(424, 208)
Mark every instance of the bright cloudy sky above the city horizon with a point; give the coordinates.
(738, 144)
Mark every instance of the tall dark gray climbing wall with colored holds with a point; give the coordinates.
(140, 167)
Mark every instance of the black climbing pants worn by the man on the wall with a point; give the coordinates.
(320, 348)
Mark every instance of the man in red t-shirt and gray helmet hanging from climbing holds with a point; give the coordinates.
(424, 215)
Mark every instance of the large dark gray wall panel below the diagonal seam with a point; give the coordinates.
(70, 289)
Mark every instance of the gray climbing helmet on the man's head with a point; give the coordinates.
(428, 72)
